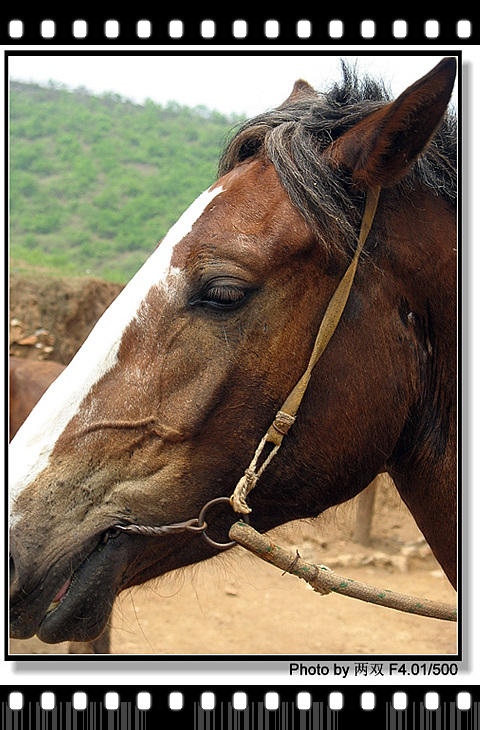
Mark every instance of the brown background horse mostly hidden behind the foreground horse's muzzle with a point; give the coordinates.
(28, 381)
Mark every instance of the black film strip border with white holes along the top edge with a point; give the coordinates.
(435, 28)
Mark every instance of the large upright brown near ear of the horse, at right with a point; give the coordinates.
(381, 148)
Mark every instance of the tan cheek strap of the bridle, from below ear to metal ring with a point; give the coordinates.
(285, 417)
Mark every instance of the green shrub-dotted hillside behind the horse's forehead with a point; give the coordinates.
(96, 181)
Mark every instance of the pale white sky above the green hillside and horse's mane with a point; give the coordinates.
(243, 84)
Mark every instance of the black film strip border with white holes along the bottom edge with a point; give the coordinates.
(250, 708)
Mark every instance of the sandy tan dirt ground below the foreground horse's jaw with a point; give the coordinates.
(238, 605)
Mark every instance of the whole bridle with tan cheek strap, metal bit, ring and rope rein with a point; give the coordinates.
(257, 543)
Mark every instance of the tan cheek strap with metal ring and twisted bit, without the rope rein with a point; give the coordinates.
(285, 417)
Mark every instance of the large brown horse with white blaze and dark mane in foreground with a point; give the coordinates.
(177, 386)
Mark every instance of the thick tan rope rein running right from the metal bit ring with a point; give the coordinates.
(323, 580)
